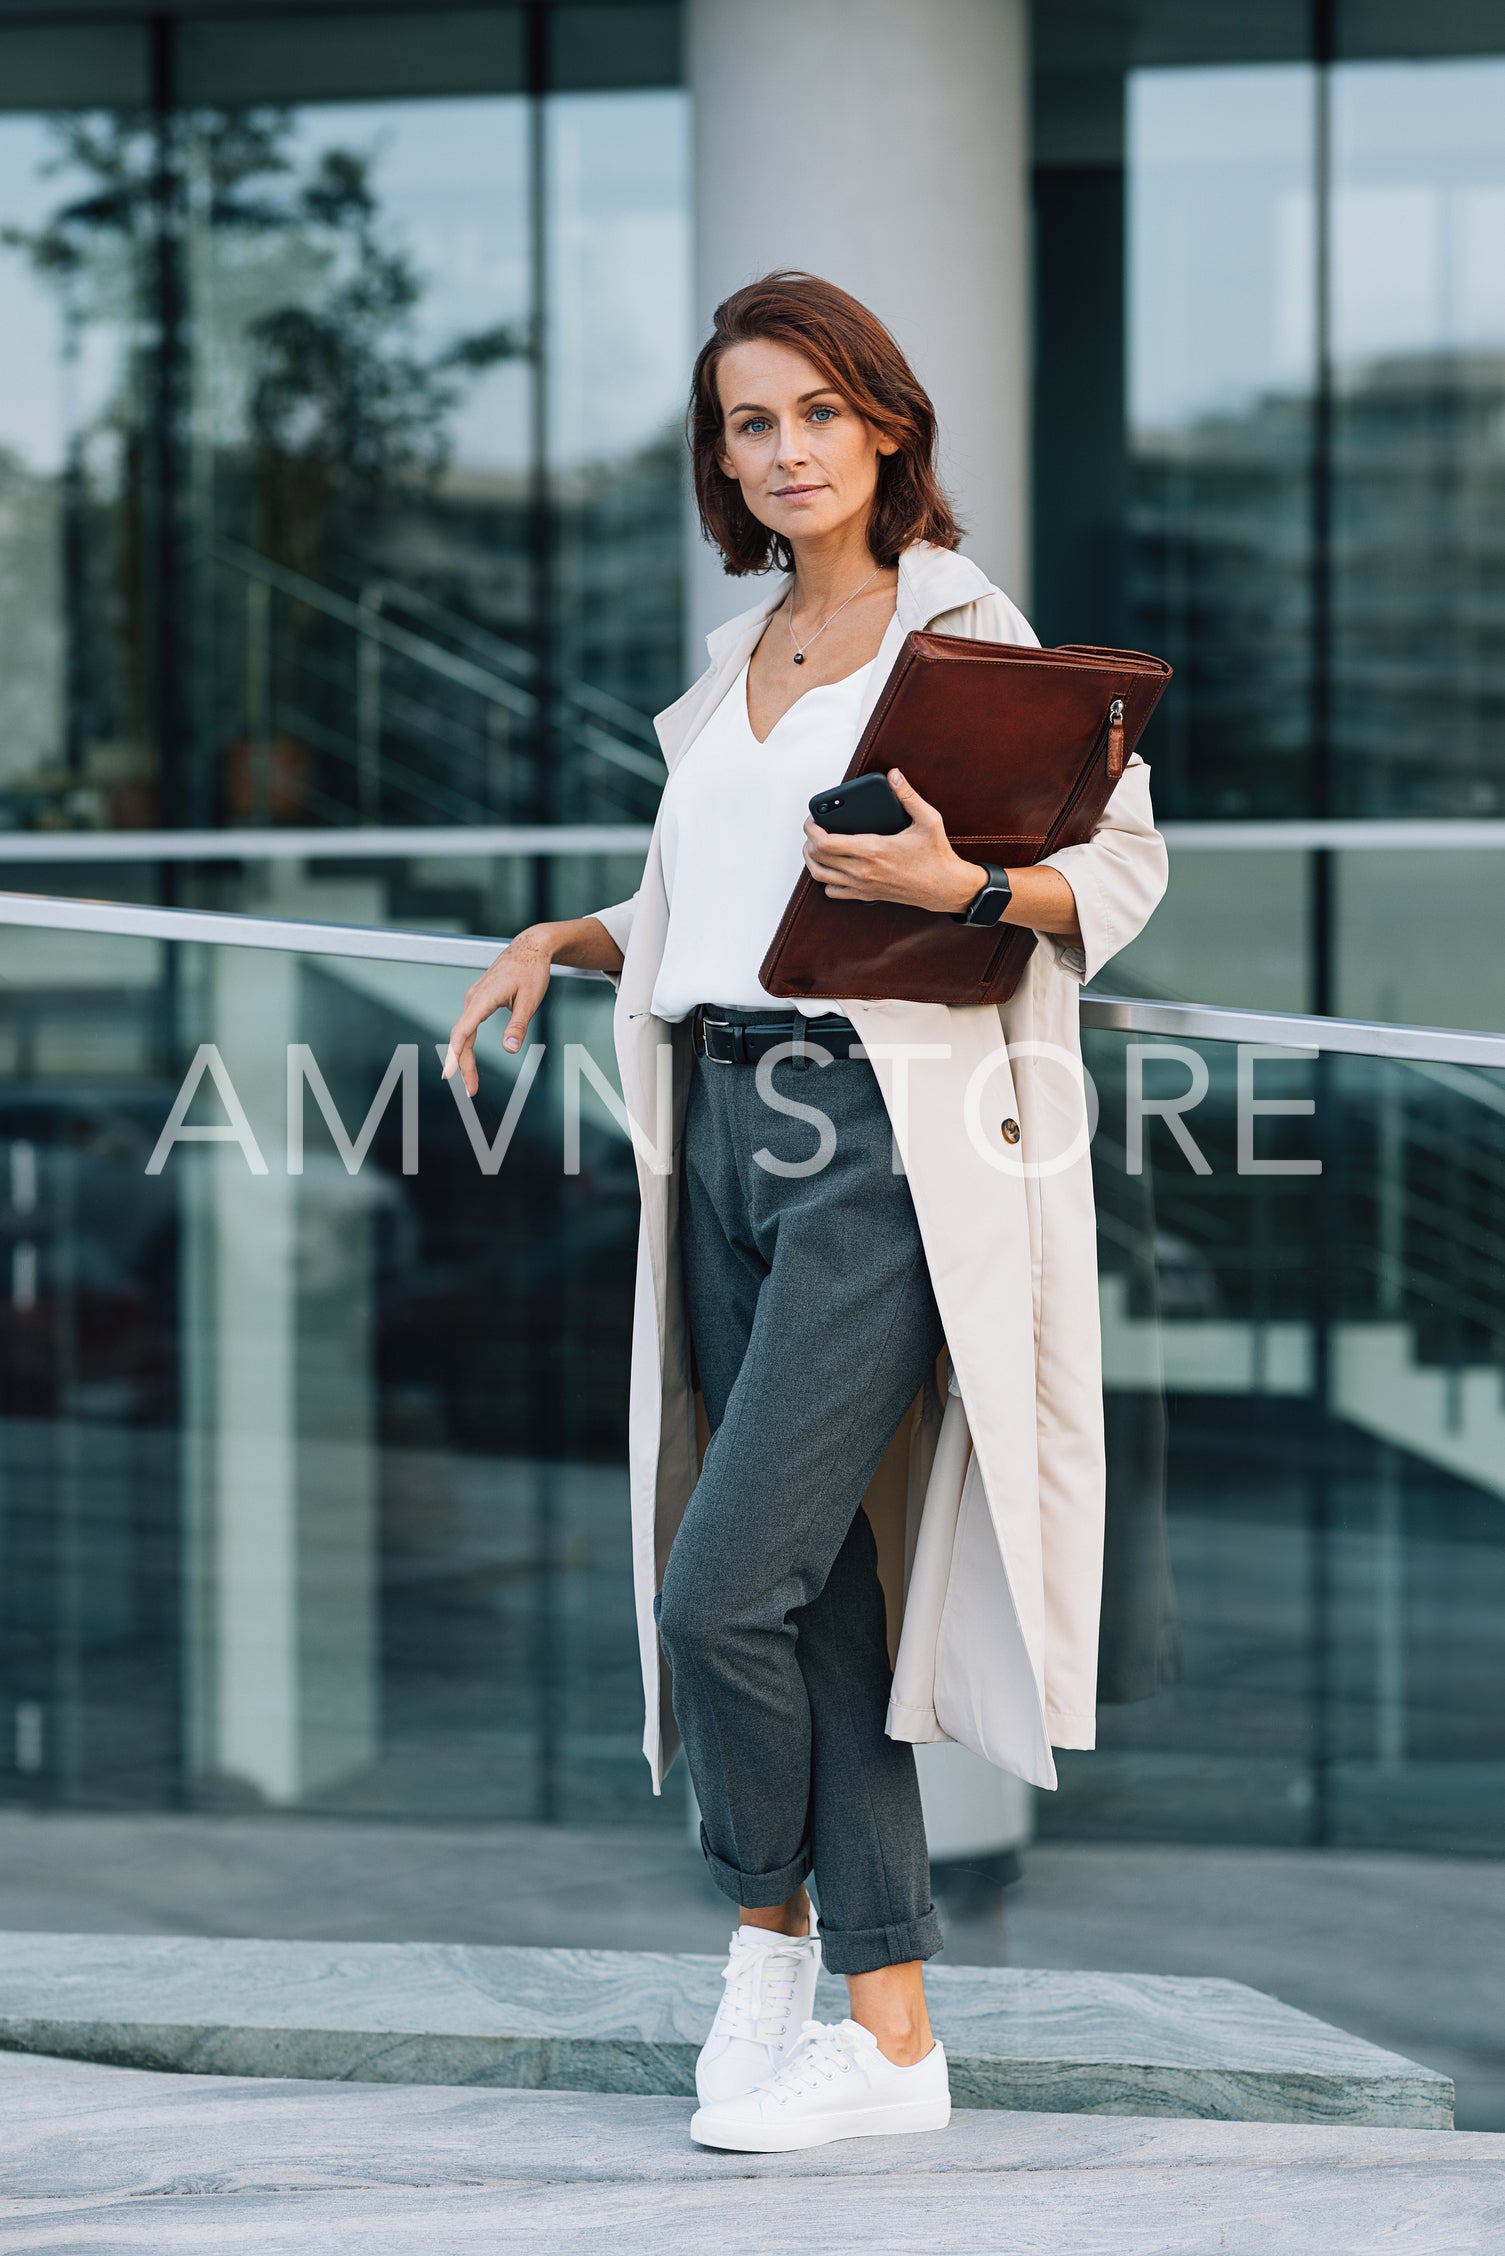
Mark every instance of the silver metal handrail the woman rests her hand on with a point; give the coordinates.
(461, 951)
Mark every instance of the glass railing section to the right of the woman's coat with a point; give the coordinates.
(1305, 1384)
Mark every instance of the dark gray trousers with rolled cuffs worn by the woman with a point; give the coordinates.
(813, 1328)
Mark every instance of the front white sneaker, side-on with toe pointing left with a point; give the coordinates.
(834, 2086)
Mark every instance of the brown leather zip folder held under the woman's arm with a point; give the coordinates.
(1021, 752)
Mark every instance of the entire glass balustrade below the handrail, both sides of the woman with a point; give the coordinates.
(313, 1463)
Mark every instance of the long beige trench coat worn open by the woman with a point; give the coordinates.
(989, 1506)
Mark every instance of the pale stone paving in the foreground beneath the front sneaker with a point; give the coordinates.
(114, 2162)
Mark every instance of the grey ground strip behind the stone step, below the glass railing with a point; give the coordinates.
(1400, 1950)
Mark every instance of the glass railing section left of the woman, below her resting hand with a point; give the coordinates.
(313, 1481)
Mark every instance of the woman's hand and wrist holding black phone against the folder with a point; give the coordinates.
(924, 870)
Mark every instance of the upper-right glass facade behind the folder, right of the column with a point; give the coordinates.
(1269, 400)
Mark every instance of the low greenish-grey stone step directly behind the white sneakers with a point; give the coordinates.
(547, 2020)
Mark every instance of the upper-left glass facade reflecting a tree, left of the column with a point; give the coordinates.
(340, 455)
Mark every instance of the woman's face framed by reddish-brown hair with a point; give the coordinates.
(802, 455)
